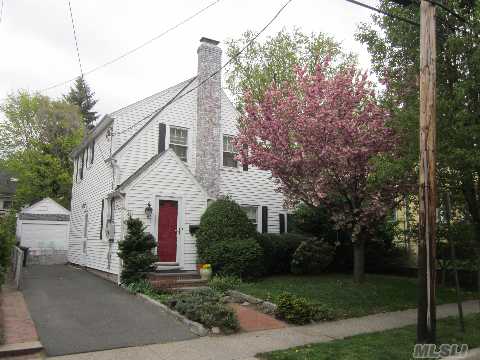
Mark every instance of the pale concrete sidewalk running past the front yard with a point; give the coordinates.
(246, 345)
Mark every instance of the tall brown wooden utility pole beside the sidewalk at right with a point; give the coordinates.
(426, 321)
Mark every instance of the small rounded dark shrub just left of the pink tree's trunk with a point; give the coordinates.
(312, 256)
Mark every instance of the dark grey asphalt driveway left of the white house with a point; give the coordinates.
(75, 311)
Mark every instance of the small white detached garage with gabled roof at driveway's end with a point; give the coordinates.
(43, 228)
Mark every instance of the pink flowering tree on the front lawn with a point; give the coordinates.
(325, 139)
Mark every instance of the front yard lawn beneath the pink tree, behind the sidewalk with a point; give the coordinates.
(380, 293)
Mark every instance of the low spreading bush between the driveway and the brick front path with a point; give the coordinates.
(206, 307)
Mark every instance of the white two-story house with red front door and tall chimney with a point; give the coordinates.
(162, 163)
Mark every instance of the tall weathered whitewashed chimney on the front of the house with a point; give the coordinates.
(207, 162)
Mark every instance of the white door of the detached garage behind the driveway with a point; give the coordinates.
(36, 235)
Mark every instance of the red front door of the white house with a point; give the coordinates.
(167, 231)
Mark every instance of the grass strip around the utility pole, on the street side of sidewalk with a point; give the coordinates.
(388, 345)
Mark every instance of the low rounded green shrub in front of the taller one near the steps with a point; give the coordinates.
(242, 258)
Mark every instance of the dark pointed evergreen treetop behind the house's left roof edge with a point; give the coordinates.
(81, 95)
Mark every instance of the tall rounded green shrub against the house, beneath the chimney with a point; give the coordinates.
(223, 219)
